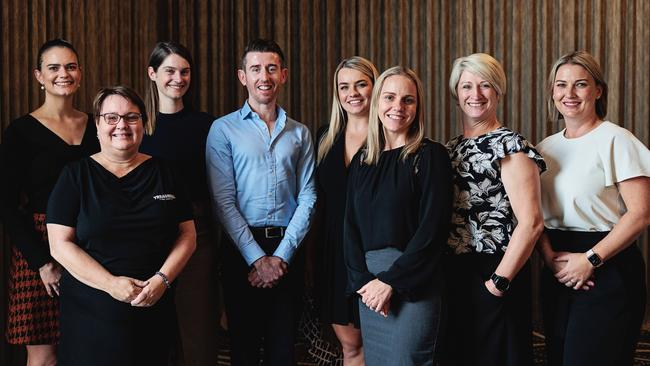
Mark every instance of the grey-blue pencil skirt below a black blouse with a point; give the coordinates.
(408, 336)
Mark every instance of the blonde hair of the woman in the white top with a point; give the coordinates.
(589, 63)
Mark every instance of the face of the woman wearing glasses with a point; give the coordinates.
(122, 138)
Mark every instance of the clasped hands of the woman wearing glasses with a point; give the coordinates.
(136, 292)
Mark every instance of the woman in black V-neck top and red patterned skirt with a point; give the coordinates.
(35, 149)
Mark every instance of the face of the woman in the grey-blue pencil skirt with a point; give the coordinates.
(397, 105)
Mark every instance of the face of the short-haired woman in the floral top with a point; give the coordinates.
(477, 98)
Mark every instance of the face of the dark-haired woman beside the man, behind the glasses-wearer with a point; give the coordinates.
(172, 77)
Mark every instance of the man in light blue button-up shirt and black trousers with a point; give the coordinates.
(260, 166)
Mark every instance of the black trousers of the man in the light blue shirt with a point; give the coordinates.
(257, 317)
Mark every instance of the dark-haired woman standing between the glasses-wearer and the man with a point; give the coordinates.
(177, 133)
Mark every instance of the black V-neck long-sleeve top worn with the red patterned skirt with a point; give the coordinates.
(32, 159)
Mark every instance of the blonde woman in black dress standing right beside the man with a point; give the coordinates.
(338, 142)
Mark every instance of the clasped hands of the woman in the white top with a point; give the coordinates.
(572, 270)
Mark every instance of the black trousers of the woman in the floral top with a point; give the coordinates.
(483, 329)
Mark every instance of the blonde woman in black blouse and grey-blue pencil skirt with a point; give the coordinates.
(396, 226)
